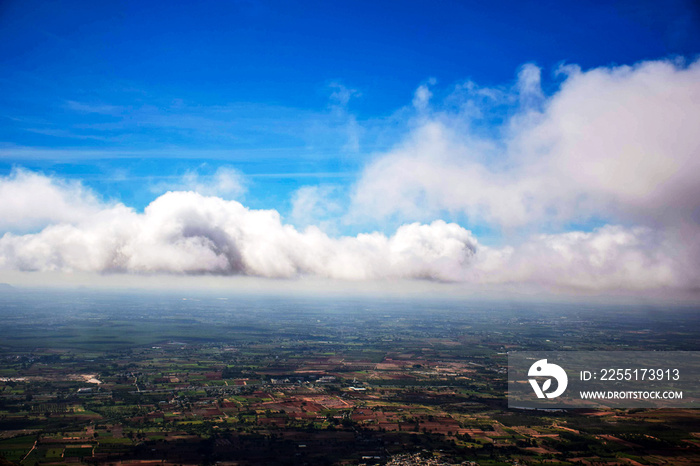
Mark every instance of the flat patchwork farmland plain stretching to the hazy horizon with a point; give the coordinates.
(97, 380)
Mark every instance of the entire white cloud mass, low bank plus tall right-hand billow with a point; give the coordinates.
(616, 147)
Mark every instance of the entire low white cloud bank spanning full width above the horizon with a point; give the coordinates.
(188, 233)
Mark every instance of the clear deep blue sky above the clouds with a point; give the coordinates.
(100, 81)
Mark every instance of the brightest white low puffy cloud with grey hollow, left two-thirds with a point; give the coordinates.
(185, 232)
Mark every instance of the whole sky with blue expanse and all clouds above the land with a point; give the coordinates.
(476, 147)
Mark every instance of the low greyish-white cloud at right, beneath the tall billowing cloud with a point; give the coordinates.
(609, 258)
